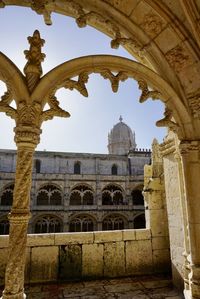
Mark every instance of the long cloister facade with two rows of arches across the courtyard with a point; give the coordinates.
(80, 192)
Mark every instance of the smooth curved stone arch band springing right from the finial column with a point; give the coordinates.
(97, 63)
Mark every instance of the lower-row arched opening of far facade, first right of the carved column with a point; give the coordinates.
(48, 224)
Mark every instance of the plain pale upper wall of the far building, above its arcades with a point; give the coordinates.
(62, 163)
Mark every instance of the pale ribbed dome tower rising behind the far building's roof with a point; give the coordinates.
(121, 139)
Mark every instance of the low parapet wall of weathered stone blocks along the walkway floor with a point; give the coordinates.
(72, 256)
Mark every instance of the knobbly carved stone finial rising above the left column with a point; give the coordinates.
(33, 68)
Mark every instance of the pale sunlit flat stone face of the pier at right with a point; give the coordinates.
(174, 188)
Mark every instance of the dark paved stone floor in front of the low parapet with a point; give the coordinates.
(153, 287)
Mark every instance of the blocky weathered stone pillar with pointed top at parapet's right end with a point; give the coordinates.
(155, 210)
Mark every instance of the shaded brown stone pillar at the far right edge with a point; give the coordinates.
(190, 154)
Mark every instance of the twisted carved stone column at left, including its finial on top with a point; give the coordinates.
(28, 115)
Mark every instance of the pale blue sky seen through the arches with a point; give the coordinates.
(91, 118)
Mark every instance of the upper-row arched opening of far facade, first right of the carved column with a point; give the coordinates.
(49, 195)
